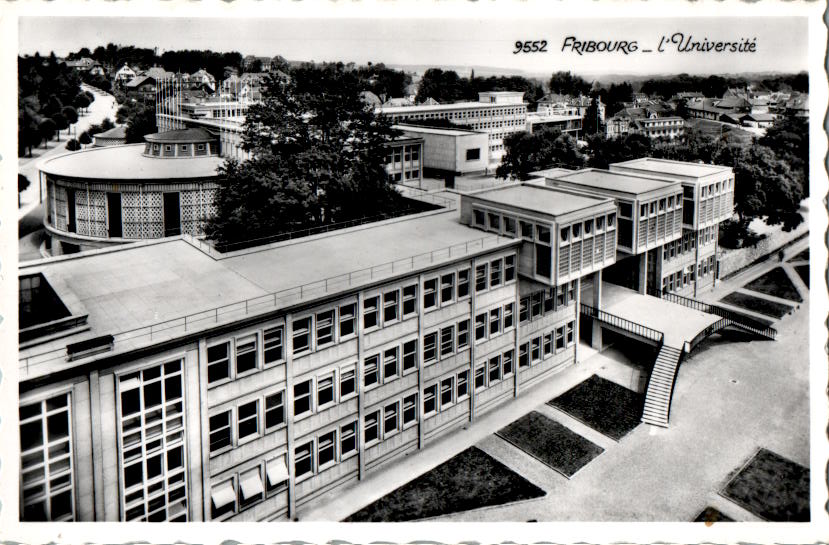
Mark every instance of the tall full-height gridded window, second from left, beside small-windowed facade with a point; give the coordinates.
(151, 442)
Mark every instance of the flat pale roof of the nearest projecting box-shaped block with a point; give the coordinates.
(553, 202)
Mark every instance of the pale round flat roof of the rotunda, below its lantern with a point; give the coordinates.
(128, 163)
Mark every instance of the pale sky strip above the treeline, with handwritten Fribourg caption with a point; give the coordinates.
(781, 42)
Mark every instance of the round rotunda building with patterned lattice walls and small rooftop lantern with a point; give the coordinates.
(116, 194)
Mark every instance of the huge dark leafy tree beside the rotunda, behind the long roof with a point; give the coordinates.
(318, 158)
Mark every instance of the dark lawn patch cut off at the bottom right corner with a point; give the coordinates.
(772, 487)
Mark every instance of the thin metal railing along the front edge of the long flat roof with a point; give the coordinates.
(169, 329)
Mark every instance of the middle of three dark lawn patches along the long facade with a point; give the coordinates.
(550, 443)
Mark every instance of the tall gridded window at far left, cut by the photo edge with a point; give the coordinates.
(46, 460)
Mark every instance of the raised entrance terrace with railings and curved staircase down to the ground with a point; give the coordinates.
(675, 324)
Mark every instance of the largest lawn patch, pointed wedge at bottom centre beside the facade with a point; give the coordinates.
(470, 480)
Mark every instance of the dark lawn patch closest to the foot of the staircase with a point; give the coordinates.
(603, 405)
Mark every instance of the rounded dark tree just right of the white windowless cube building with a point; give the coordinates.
(529, 152)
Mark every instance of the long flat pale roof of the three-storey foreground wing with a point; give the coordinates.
(137, 285)
